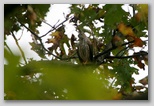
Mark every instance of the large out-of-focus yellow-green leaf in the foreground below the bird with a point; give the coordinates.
(58, 80)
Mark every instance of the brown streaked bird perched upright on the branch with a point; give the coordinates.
(85, 49)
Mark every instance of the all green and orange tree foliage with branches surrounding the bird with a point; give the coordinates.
(114, 36)
